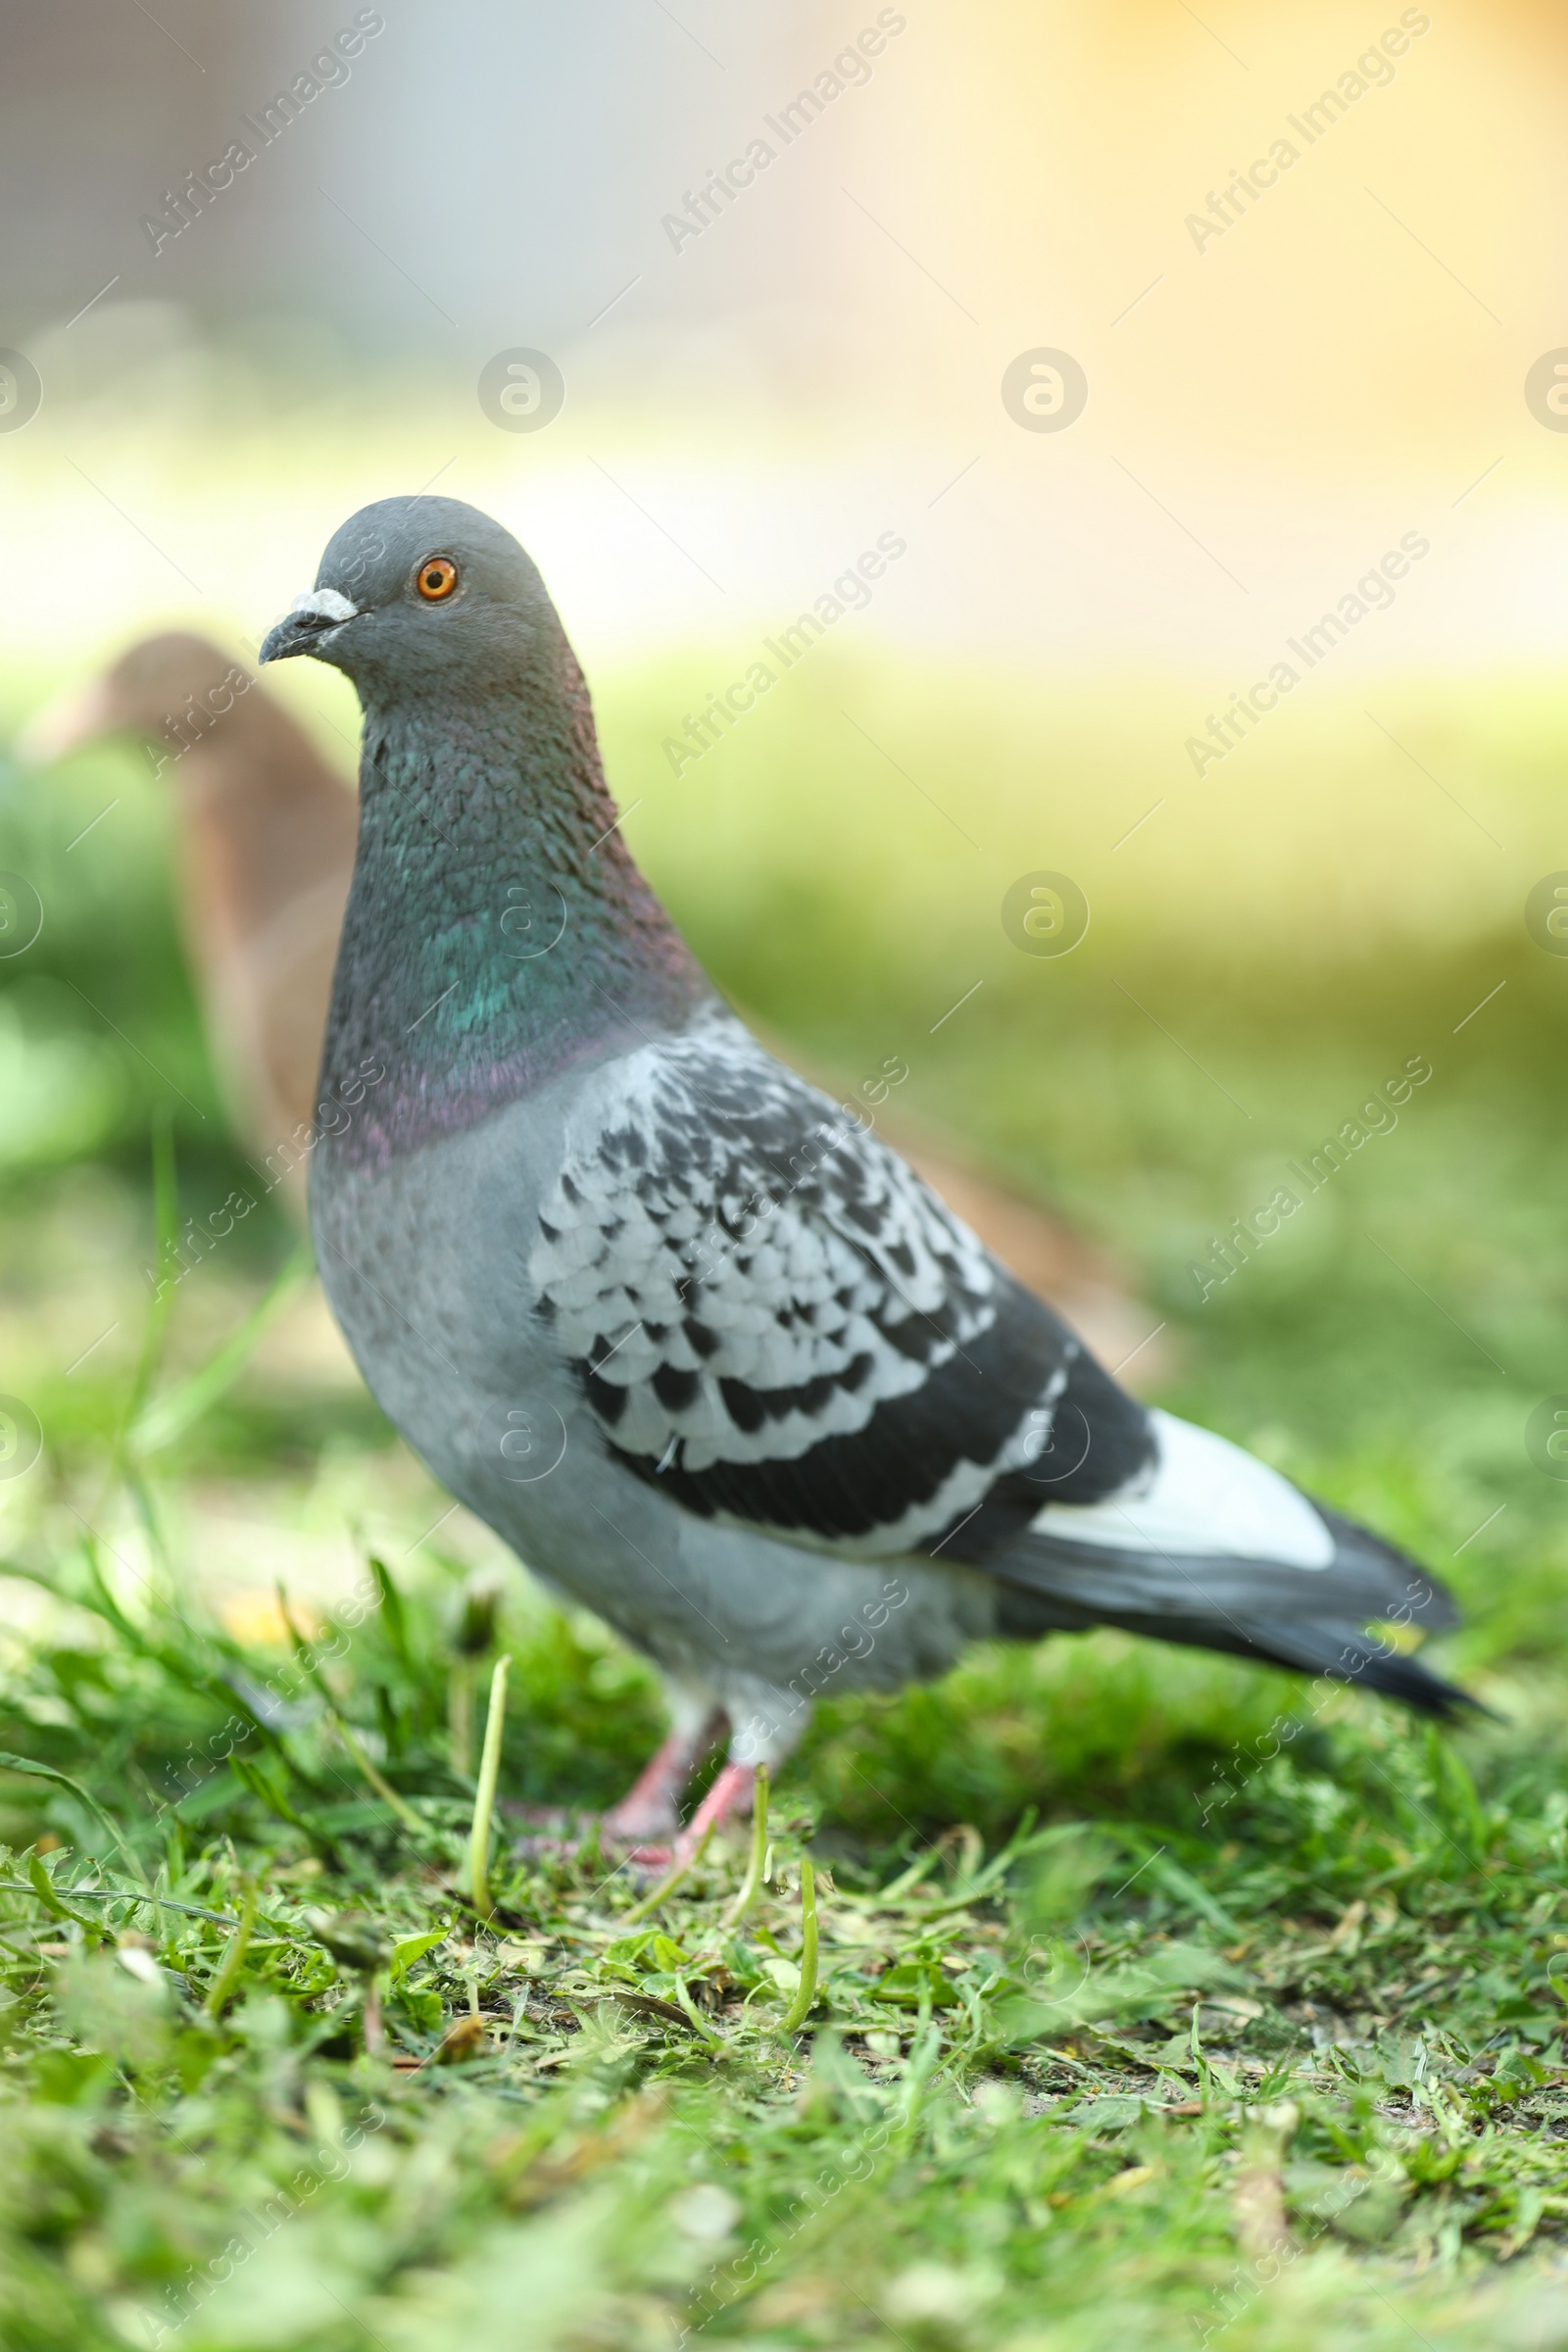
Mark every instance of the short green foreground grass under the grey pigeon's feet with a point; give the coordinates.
(1261, 2031)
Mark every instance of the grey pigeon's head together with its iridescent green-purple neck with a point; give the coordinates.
(497, 923)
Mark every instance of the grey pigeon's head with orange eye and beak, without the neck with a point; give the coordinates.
(424, 596)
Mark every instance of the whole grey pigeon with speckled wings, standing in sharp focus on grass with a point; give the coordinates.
(676, 1325)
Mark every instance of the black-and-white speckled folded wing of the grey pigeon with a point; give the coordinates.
(775, 1321)
